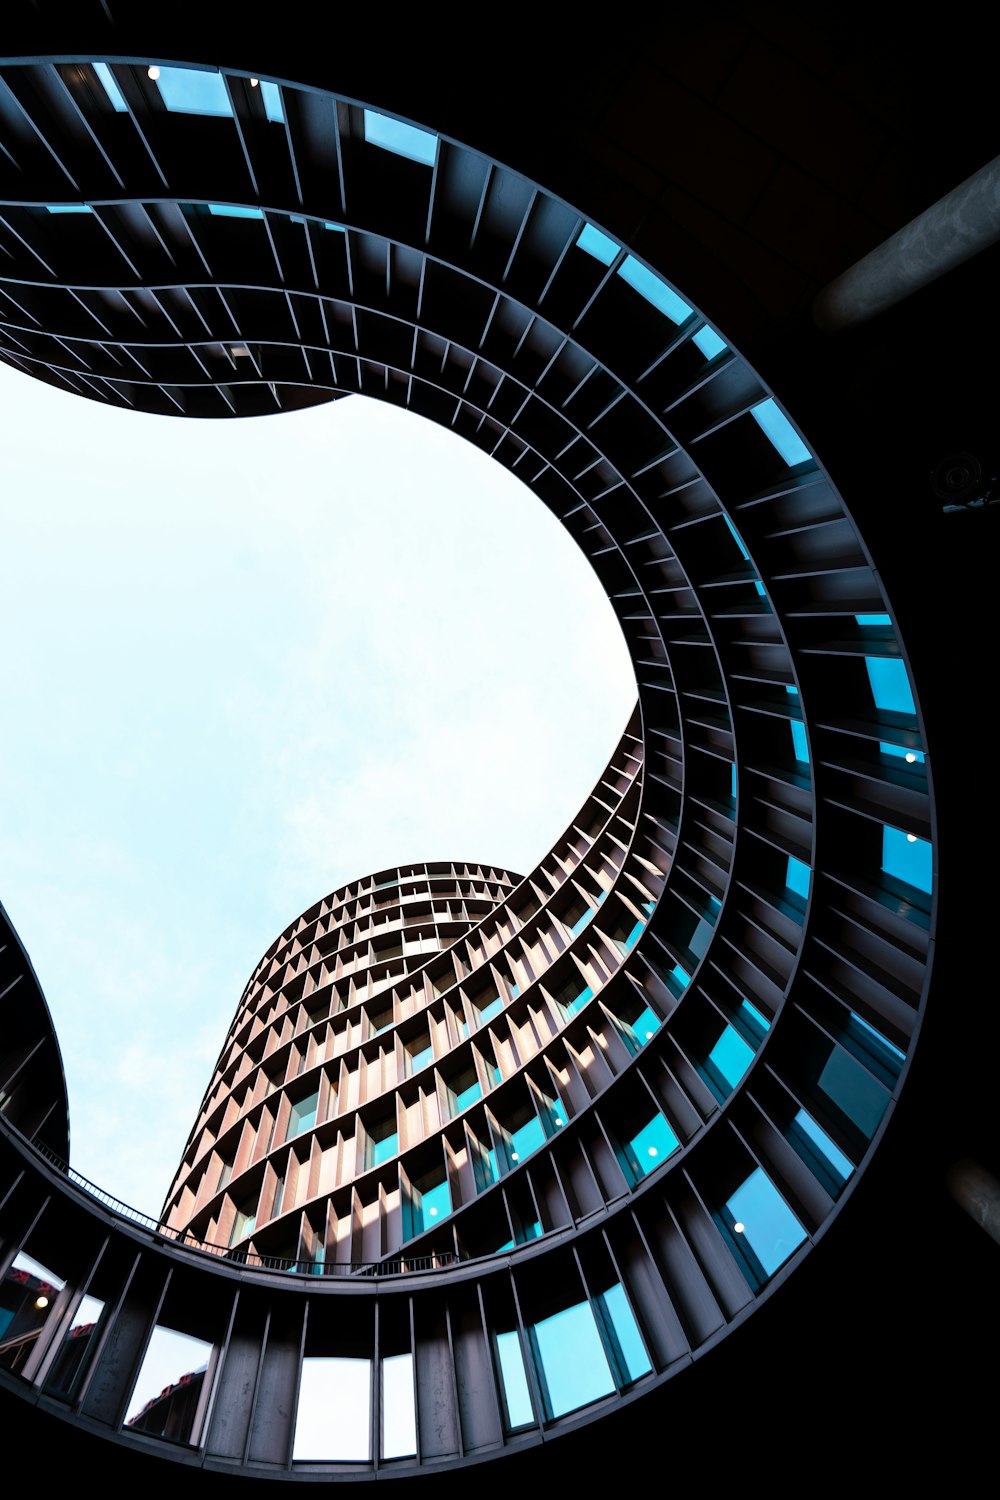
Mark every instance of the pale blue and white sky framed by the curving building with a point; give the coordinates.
(247, 662)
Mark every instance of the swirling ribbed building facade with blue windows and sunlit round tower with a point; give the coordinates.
(503, 1159)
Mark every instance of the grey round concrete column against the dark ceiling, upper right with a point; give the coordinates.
(951, 232)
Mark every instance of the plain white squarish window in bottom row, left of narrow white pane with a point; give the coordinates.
(334, 1417)
